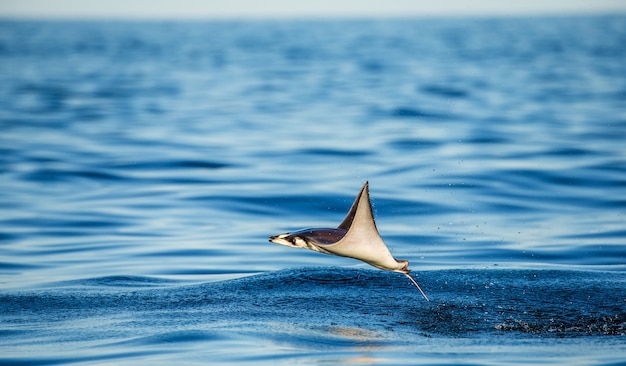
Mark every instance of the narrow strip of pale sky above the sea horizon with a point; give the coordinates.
(177, 9)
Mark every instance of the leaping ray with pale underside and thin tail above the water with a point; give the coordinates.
(356, 237)
